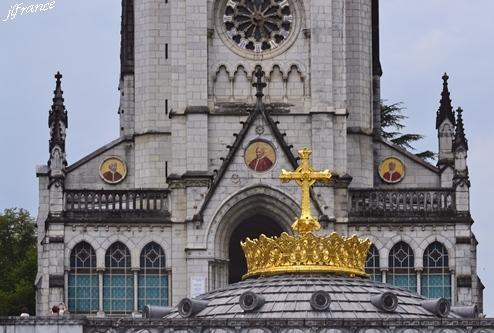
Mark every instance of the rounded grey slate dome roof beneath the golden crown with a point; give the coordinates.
(289, 297)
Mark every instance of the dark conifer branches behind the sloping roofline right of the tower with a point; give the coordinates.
(392, 117)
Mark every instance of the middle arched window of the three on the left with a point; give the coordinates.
(118, 280)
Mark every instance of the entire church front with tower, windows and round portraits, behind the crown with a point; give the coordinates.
(158, 214)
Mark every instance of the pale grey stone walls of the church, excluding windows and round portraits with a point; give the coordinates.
(186, 120)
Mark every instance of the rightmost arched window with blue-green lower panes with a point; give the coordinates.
(436, 278)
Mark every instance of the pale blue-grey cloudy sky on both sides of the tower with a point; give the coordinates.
(420, 40)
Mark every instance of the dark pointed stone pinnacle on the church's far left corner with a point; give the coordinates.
(58, 123)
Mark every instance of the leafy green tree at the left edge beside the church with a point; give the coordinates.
(17, 262)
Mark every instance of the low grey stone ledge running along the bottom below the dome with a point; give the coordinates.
(70, 324)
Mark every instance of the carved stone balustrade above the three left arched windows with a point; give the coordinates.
(116, 200)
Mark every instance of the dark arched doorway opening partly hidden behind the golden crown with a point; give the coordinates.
(252, 227)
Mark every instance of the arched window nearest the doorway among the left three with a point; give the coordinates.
(153, 277)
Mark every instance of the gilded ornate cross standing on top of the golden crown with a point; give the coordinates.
(305, 176)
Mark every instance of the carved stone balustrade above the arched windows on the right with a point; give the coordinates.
(402, 202)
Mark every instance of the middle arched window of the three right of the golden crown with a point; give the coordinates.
(401, 267)
